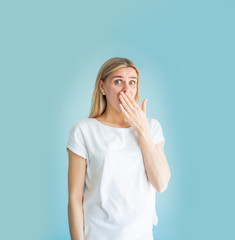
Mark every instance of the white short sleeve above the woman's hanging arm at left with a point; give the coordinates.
(76, 142)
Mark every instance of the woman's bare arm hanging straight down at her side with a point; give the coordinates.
(76, 180)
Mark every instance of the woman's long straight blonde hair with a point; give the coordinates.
(98, 104)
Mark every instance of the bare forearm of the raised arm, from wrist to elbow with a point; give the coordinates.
(157, 169)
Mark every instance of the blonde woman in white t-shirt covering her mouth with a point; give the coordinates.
(116, 161)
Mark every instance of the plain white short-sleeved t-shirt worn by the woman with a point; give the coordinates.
(119, 201)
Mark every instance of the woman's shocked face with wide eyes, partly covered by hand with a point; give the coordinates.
(123, 79)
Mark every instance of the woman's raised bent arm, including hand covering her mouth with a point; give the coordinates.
(156, 166)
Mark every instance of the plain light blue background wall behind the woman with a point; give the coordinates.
(50, 53)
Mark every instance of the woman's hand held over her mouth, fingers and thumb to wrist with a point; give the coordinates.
(135, 115)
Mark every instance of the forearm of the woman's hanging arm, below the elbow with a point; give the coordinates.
(76, 220)
